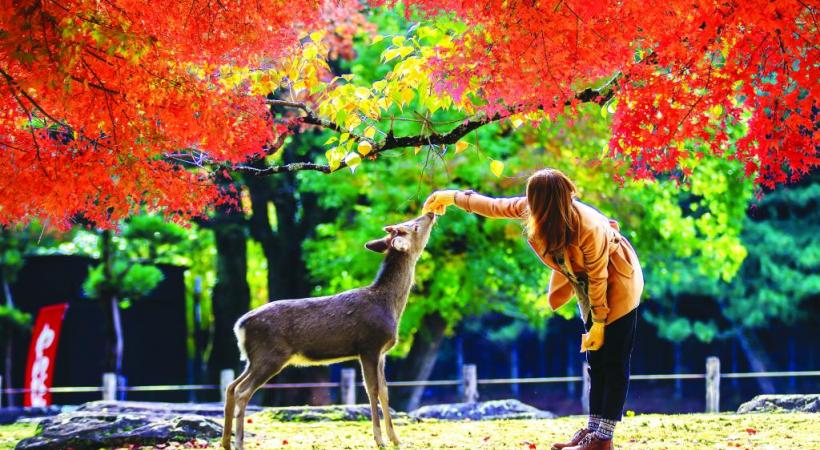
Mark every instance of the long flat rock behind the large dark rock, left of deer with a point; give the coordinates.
(159, 409)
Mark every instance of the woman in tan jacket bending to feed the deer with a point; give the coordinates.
(589, 257)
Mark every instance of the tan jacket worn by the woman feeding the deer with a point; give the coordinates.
(597, 249)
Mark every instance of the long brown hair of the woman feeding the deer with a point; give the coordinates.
(552, 220)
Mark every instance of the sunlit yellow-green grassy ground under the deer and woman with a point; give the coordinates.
(695, 431)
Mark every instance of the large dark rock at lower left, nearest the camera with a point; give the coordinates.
(93, 429)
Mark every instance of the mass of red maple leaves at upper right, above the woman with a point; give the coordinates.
(689, 73)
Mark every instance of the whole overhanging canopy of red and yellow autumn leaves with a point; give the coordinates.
(112, 106)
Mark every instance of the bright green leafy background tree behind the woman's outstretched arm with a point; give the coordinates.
(483, 266)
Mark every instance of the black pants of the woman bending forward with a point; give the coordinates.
(609, 367)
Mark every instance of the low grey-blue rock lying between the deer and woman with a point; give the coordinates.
(496, 409)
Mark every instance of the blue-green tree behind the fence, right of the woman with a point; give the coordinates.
(777, 280)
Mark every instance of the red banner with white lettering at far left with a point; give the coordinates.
(41, 354)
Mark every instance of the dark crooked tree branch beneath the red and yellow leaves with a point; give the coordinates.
(600, 96)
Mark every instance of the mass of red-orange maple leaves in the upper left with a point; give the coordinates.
(98, 96)
